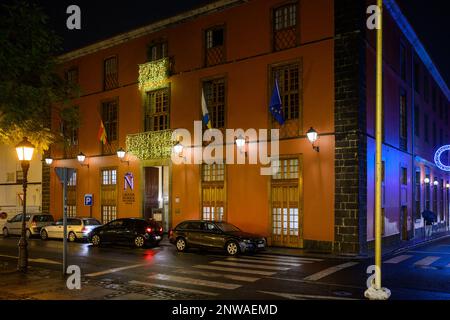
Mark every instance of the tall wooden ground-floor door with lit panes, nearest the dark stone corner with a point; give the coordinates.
(285, 192)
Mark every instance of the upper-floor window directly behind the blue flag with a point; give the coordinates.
(289, 83)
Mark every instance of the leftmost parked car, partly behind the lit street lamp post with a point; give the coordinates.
(33, 224)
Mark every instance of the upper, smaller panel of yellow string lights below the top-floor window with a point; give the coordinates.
(153, 75)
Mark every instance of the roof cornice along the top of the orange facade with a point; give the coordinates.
(151, 28)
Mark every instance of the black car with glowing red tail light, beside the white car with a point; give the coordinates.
(138, 232)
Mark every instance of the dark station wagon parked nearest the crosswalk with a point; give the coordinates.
(215, 235)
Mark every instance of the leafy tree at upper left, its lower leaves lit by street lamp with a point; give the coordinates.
(31, 89)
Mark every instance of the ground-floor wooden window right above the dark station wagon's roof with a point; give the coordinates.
(213, 192)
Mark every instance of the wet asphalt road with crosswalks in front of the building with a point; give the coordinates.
(422, 273)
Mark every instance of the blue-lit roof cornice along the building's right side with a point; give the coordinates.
(412, 37)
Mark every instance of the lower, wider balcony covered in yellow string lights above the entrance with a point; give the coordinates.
(150, 145)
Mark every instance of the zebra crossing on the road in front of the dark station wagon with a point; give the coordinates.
(219, 275)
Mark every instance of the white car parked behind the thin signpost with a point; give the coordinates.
(77, 229)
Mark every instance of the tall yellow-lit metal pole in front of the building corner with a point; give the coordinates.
(379, 137)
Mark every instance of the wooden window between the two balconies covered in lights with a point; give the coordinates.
(157, 110)
